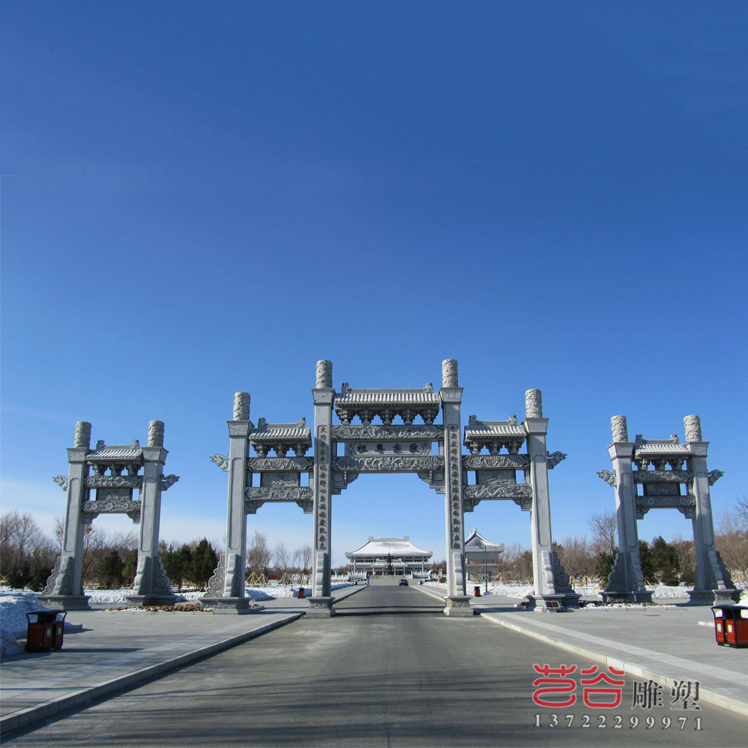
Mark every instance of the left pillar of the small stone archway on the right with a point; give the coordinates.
(625, 581)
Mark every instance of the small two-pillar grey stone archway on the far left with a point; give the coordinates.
(113, 494)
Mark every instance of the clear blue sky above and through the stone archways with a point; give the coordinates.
(211, 196)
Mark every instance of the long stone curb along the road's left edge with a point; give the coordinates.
(84, 696)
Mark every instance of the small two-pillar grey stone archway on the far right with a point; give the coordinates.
(657, 466)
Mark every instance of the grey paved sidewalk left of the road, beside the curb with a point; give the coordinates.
(116, 650)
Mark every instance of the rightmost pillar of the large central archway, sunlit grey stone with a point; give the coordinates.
(552, 588)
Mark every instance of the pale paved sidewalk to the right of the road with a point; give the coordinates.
(679, 646)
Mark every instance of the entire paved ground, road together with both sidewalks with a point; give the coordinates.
(388, 669)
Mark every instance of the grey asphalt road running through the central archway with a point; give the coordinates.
(389, 670)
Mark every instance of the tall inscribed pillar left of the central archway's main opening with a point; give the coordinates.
(320, 603)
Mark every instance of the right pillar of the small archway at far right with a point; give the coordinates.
(713, 582)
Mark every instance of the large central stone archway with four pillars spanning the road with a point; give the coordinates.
(387, 447)
